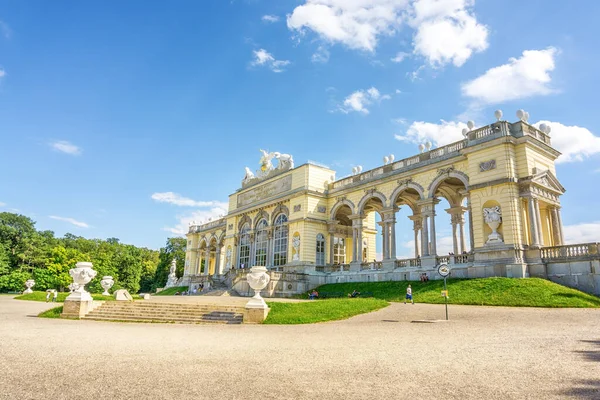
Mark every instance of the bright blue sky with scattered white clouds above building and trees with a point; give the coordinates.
(108, 107)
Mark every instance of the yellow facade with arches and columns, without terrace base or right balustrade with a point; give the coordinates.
(500, 177)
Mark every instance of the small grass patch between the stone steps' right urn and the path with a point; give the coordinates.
(320, 310)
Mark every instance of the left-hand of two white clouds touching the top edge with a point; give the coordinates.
(354, 23)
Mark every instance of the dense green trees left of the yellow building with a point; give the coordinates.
(26, 253)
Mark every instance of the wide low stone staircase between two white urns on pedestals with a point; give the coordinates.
(140, 311)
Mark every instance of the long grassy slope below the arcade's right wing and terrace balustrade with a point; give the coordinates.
(530, 292)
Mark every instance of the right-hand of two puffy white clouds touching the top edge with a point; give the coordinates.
(446, 31)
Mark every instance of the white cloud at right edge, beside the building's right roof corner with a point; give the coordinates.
(574, 142)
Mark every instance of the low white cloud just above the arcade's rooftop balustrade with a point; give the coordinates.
(439, 134)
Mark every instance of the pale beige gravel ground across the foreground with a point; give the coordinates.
(481, 353)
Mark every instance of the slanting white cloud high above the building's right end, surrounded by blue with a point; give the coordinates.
(522, 77)
